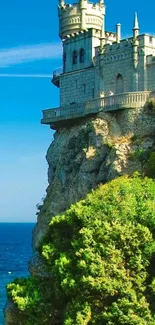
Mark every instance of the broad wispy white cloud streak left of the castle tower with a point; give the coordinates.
(22, 54)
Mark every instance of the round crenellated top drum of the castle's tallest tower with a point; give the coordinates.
(77, 17)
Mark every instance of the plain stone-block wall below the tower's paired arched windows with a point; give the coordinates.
(77, 87)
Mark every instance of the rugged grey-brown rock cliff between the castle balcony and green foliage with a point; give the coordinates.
(81, 156)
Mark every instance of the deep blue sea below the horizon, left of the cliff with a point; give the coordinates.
(15, 252)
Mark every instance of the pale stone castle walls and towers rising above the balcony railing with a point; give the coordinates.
(97, 63)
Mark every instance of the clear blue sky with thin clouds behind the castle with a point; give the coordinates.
(29, 51)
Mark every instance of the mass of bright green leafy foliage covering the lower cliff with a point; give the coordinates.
(101, 258)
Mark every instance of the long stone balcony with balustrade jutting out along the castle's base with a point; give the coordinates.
(56, 117)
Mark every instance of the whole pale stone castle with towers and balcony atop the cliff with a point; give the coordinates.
(100, 70)
